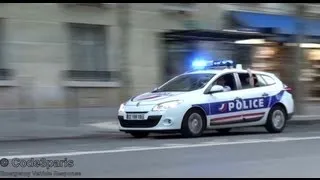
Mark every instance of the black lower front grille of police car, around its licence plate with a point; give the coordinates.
(150, 122)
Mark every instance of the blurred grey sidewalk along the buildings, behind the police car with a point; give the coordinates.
(87, 123)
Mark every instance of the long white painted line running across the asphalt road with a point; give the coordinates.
(159, 148)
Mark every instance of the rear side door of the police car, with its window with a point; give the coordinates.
(255, 99)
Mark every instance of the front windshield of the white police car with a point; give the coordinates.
(186, 82)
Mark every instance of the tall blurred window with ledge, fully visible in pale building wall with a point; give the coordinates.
(88, 52)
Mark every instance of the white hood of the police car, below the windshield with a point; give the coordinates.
(154, 98)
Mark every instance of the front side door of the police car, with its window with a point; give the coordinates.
(222, 105)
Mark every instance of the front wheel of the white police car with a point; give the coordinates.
(193, 124)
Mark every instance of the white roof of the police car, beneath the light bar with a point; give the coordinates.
(231, 70)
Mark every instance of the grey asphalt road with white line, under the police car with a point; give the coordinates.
(242, 153)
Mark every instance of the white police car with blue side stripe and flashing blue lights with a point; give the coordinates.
(220, 97)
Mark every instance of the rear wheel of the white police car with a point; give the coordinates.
(277, 120)
